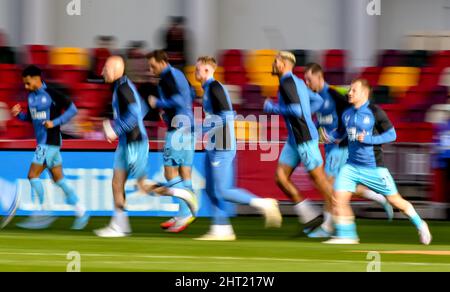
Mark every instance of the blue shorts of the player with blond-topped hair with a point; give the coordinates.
(307, 153)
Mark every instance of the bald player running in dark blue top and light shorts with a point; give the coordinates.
(132, 152)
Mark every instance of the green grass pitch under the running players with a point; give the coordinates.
(257, 249)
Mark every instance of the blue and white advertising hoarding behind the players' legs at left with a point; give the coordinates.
(90, 174)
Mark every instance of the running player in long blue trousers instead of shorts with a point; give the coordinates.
(220, 154)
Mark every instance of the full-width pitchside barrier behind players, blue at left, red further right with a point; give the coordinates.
(88, 166)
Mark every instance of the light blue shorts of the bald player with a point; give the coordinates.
(132, 158)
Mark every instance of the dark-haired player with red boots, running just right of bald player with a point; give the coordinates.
(176, 99)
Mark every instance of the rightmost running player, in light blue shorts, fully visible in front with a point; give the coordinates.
(367, 128)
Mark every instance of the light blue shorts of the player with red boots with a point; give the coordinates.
(179, 149)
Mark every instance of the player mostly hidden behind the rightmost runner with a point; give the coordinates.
(329, 119)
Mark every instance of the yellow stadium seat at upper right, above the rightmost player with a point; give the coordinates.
(399, 79)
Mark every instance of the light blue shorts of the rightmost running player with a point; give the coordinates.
(377, 179)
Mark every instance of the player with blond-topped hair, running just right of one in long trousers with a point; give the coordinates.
(295, 104)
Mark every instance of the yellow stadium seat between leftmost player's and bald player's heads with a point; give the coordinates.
(70, 56)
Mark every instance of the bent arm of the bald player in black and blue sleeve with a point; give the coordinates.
(127, 120)
